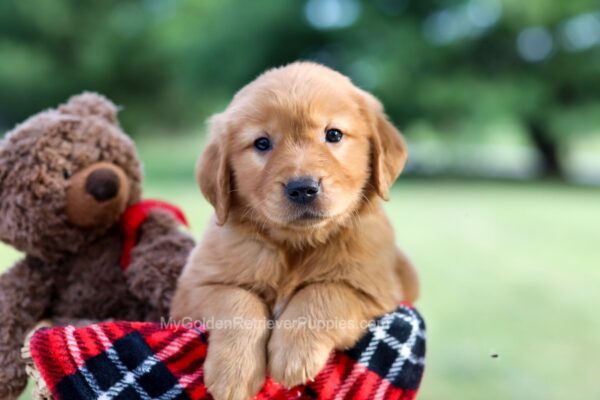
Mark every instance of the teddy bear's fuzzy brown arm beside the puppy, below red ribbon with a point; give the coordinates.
(157, 260)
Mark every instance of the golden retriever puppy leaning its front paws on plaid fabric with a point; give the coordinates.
(295, 169)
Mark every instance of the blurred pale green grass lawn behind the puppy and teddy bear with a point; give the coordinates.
(506, 268)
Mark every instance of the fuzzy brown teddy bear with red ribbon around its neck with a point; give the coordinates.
(70, 187)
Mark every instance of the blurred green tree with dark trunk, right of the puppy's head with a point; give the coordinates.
(464, 64)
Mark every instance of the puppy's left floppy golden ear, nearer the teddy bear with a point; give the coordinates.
(213, 172)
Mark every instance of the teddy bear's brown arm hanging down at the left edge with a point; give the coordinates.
(25, 292)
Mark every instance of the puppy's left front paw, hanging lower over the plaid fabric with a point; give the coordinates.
(232, 376)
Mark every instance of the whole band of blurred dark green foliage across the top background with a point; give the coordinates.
(457, 66)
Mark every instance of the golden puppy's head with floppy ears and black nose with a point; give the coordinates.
(299, 148)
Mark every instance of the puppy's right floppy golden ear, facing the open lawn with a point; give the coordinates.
(388, 148)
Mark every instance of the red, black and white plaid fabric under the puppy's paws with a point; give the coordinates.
(130, 360)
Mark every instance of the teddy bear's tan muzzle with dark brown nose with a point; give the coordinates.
(97, 195)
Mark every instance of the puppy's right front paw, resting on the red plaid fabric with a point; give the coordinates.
(293, 362)
